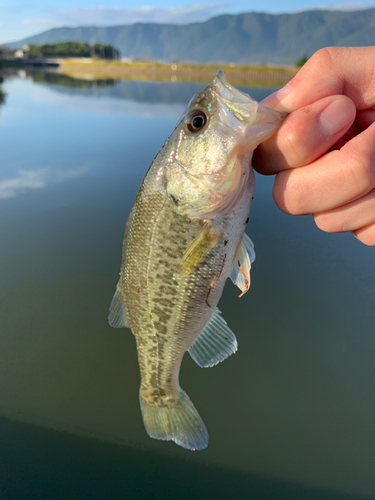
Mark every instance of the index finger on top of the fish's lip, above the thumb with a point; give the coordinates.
(330, 71)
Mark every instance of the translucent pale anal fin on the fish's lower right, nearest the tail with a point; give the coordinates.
(215, 343)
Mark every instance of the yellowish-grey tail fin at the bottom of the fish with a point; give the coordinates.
(179, 422)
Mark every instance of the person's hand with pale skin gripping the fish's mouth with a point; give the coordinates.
(323, 154)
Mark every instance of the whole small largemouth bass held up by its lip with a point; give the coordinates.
(183, 238)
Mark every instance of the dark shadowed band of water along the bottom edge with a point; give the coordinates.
(61, 466)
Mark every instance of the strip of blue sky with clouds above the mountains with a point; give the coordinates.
(21, 18)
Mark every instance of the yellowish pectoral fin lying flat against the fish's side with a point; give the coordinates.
(200, 247)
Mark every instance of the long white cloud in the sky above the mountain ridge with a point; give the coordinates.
(106, 16)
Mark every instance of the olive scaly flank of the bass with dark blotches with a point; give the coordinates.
(158, 302)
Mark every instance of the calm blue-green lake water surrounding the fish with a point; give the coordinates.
(291, 415)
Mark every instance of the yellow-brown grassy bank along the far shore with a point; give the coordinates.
(148, 70)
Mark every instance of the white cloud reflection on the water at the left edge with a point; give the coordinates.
(27, 180)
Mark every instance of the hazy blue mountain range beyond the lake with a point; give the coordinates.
(249, 38)
